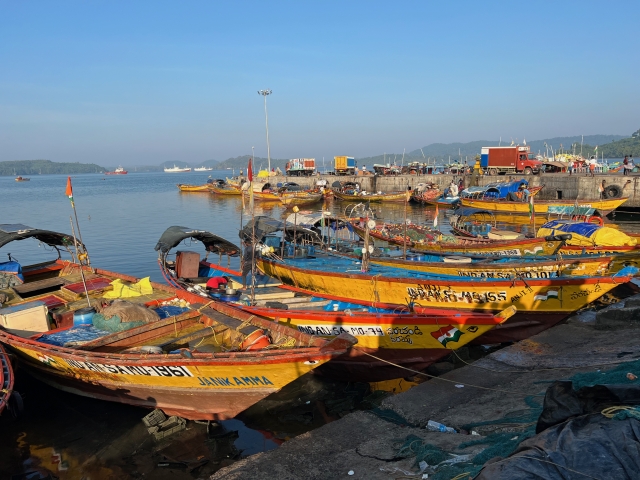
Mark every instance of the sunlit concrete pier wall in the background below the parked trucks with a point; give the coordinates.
(557, 186)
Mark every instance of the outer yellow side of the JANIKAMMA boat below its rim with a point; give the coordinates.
(192, 390)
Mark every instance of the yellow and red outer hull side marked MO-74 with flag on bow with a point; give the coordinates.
(409, 340)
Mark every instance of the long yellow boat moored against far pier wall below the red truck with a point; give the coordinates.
(542, 206)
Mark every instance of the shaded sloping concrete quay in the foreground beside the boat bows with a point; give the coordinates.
(364, 445)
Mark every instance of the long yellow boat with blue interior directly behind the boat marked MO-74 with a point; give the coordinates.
(540, 303)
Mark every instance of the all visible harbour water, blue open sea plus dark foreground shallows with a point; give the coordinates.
(121, 219)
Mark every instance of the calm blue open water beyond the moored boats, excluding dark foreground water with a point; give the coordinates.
(122, 217)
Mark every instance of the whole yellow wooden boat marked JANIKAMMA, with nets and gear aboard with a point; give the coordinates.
(205, 361)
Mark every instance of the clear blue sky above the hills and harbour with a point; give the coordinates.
(145, 82)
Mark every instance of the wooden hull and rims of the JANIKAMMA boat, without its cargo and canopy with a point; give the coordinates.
(197, 386)
